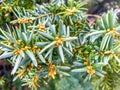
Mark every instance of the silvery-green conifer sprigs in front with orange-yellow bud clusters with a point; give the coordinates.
(55, 40)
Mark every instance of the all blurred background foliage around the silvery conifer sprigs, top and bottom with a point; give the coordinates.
(95, 7)
